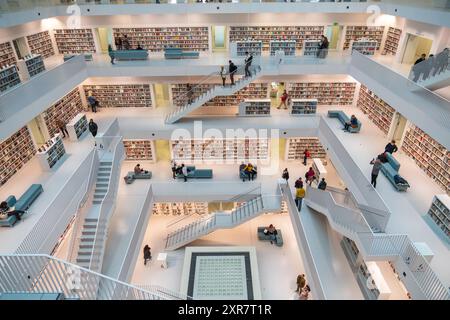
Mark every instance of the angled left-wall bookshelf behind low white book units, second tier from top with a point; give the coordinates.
(65, 109)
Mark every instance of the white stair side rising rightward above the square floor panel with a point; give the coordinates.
(222, 220)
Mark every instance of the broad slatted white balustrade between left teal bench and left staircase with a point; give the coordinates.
(47, 230)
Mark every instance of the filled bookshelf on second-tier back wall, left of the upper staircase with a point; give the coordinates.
(121, 95)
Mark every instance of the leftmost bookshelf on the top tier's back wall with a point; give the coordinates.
(74, 41)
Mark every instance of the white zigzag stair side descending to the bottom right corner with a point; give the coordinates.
(397, 248)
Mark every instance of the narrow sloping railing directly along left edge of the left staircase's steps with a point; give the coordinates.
(82, 211)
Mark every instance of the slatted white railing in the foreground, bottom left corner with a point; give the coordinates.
(38, 273)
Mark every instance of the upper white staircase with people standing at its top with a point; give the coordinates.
(215, 91)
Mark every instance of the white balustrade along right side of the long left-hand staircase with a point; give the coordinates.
(115, 154)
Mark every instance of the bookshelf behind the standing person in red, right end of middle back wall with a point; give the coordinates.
(296, 147)
